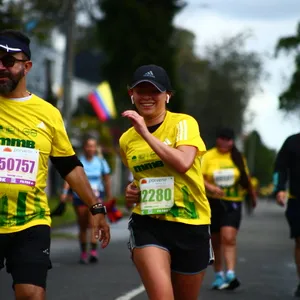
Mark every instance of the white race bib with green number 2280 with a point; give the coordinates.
(157, 195)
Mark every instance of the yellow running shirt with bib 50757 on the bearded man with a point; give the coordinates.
(31, 130)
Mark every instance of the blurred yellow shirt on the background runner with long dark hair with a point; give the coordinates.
(220, 170)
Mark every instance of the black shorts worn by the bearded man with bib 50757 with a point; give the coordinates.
(27, 255)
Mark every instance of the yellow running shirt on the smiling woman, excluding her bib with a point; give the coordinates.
(190, 203)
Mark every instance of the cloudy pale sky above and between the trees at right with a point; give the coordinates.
(268, 20)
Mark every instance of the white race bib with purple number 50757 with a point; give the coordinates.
(18, 165)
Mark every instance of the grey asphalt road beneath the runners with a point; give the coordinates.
(265, 265)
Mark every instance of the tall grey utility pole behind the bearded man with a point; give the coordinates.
(68, 63)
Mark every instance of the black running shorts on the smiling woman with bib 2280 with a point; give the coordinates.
(189, 245)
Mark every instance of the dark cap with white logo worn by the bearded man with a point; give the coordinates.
(11, 44)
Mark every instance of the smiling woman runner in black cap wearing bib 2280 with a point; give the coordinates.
(169, 227)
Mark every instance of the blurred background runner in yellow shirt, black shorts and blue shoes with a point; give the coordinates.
(225, 175)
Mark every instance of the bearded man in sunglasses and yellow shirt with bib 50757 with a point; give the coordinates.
(31, 132)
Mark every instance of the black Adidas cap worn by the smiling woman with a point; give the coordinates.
(154, 74)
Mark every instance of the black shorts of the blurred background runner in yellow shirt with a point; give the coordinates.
(225, 213)
